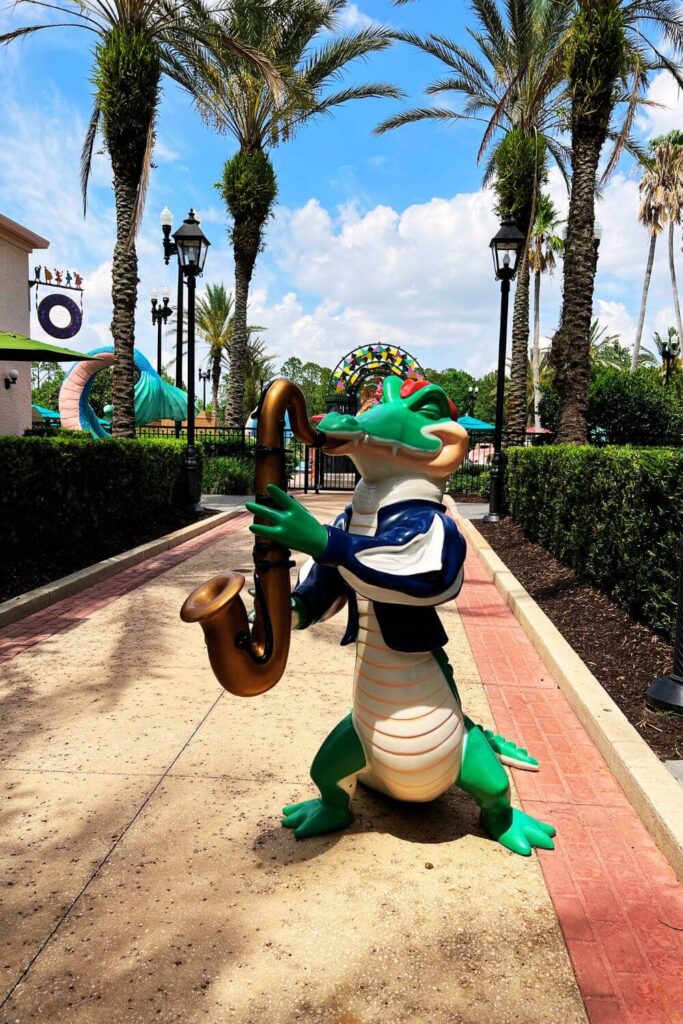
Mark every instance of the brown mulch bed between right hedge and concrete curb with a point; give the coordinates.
(624, 656)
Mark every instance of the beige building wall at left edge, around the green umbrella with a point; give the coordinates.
(17, 244)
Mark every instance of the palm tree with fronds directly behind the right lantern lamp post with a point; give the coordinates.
(513, 84)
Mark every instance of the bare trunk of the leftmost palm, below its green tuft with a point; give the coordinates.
(124, 300)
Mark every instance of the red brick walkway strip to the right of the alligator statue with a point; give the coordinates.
(618, 901)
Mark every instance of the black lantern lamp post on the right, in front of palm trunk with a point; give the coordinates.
(506, 247)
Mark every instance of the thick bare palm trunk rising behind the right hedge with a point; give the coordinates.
(571, 349)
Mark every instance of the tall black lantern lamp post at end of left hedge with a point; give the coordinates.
(191, 246)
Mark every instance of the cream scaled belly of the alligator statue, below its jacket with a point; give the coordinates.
(406, 715)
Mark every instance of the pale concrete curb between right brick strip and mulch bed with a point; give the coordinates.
(654, 794)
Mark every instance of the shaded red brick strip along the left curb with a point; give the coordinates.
(65, 615)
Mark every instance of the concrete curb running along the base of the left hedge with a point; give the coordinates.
(42, 598)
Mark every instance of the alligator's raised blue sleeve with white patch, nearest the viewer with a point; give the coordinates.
(420, 557)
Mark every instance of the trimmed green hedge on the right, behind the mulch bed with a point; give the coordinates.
(614, 516)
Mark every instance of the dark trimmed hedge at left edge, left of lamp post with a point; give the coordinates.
(70, 501)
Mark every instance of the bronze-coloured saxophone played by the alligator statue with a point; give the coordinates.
(247, 659)
